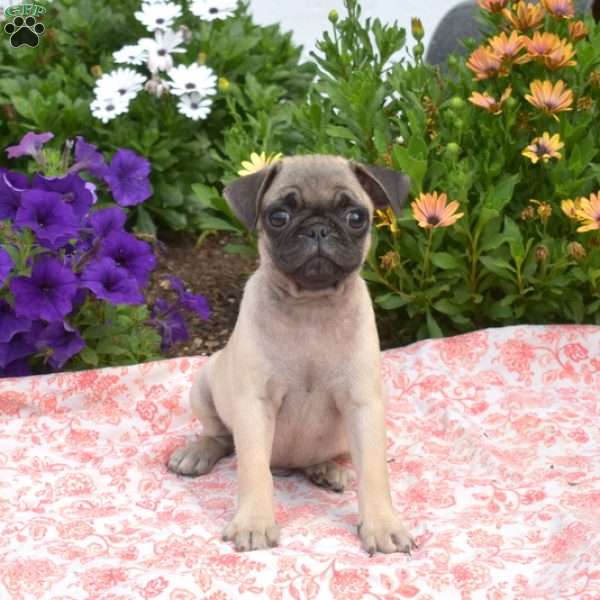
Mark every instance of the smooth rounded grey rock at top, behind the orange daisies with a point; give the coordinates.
(460, 22)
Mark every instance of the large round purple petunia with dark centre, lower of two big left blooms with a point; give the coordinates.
(47, 294)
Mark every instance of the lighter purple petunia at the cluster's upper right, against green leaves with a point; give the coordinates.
(127, 178)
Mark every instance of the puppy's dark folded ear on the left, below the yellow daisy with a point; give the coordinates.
(245, 195)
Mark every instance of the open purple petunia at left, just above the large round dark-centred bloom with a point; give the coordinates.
(51, 219)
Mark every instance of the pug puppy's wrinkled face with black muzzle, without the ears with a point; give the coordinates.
(315, 220)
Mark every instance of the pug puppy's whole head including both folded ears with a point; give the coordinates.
(313, 214)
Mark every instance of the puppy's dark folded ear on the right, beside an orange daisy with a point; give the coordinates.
(385, 187)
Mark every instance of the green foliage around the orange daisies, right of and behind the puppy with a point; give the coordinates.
(507, 260)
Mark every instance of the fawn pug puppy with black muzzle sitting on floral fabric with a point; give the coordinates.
(298, 383)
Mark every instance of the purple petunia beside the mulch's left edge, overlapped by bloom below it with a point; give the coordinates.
(129, 253)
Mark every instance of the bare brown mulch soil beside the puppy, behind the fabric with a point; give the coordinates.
(220, 276)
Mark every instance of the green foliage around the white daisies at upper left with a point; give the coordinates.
(50, 88)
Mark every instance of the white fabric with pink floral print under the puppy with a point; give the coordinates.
(494, 456)
